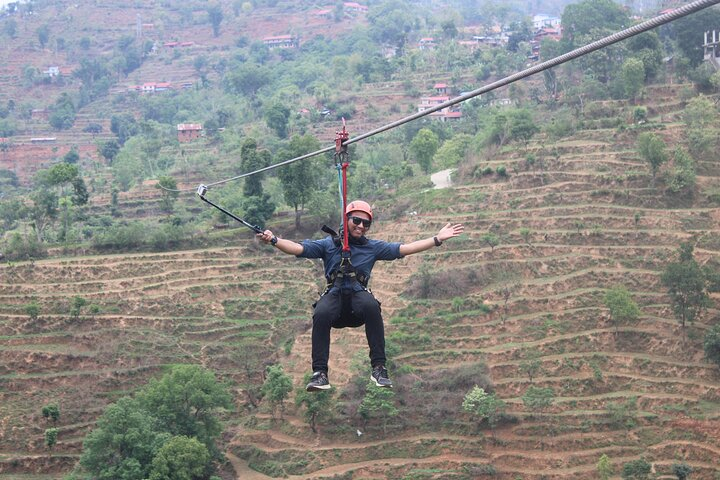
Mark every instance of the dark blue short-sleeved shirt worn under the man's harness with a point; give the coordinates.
(362, 257)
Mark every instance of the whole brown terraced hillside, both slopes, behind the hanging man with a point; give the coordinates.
(462, 315)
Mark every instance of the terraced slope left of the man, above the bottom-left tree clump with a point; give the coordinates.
(144, 311)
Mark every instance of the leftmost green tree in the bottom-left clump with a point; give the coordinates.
(123, 443)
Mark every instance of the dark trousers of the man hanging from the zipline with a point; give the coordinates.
(330, 313)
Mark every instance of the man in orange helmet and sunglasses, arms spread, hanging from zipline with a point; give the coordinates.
(347, 302)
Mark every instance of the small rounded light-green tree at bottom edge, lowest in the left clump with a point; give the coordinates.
(180, 458)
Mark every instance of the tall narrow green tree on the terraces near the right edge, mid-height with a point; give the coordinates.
(687, 286)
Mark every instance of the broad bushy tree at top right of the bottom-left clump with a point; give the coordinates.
(184, 400)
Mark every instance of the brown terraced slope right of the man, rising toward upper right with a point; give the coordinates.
(467, 315)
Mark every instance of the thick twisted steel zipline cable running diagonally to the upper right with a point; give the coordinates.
(546, 65)
